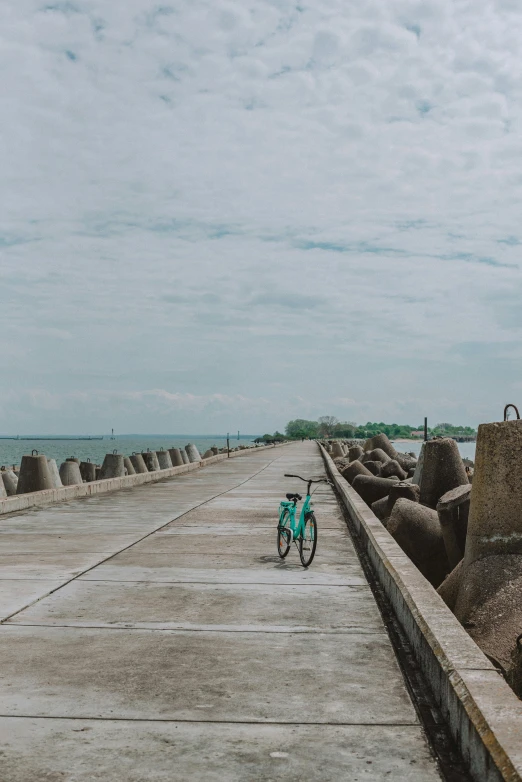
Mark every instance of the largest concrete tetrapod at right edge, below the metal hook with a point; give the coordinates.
(488, 602)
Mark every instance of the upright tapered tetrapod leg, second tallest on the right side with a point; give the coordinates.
(442, 470)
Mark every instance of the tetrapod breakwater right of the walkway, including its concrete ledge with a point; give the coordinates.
(444, 543)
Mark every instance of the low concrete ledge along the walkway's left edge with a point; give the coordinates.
(35, 499)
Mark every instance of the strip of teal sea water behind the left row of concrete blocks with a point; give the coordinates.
(11, 451)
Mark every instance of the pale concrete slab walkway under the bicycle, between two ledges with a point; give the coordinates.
(177, 646)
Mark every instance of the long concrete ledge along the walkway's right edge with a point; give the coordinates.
(484, 715)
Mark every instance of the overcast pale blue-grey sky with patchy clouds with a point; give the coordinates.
(222, 215)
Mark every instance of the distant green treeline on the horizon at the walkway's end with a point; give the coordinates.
(329, 426)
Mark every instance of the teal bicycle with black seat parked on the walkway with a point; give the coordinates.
(303, 532)
